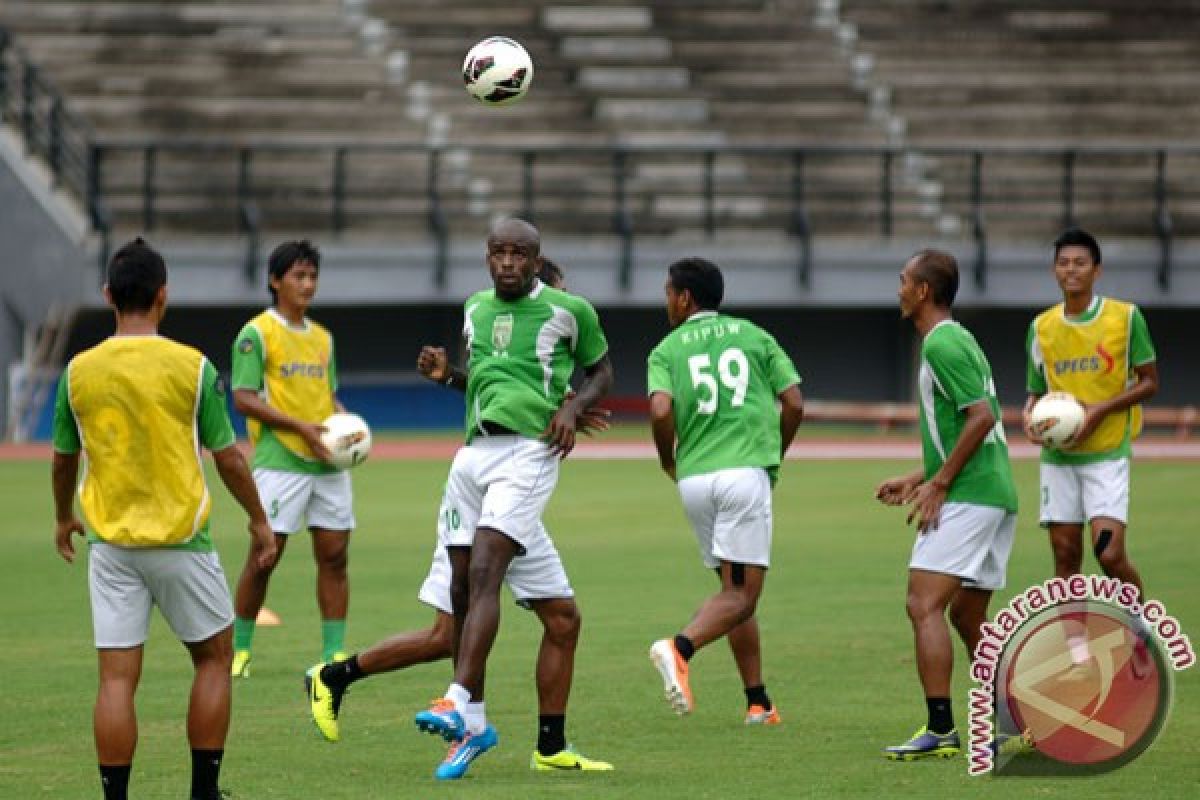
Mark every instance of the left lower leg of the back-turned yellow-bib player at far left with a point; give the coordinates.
(115, 719)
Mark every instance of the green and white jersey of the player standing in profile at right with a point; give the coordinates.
(955, 375)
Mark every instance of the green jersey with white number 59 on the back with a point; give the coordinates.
(724, 376)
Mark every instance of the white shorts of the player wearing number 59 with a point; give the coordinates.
(730, 514)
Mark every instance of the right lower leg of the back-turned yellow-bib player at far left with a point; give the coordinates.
(208, 712)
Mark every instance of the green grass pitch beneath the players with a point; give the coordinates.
(837, 647)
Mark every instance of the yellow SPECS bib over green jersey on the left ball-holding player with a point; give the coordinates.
(293, 370)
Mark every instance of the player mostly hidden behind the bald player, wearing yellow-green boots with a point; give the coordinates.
(538, 582)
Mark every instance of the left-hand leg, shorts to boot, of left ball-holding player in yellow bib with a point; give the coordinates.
(285, 497)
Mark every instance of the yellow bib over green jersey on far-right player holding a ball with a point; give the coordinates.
(1091, 357)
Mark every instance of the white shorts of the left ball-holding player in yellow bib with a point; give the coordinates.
(289, 498)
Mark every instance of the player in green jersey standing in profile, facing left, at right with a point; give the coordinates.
(964, 500)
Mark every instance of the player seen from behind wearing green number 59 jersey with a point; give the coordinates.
(713, 384)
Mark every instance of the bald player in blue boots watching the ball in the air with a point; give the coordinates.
(524, 341)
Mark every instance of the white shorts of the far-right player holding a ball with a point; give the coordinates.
(1079, 494)
